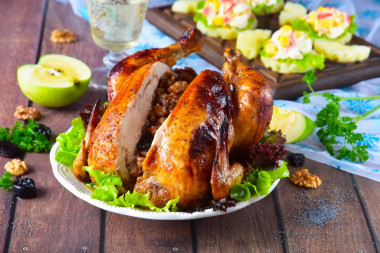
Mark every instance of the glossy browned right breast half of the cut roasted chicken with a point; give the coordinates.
(183, 151)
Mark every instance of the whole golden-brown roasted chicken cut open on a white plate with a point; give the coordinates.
(191, 151)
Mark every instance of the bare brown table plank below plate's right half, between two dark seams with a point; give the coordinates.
(252, 229)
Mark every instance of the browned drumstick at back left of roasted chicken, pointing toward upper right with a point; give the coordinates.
(191, 41)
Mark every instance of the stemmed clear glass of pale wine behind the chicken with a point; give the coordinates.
(115, 26)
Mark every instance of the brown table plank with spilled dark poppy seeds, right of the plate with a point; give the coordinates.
(326, 219)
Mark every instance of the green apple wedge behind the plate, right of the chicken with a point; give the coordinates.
(294, 125)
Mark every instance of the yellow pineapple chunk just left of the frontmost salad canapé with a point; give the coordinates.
(250, 42)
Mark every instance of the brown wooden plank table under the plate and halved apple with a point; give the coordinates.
(343, 215)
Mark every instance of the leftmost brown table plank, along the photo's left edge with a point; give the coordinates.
(22, 32)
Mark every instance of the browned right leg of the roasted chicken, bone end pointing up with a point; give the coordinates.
(252, 98)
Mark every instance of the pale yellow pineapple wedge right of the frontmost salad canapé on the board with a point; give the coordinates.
(336, 51)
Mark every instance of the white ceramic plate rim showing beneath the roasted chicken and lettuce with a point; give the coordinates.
(65, 176)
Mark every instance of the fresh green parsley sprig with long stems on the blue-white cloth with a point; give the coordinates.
(332, 125)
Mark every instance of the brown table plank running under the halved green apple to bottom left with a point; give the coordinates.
(57, 221)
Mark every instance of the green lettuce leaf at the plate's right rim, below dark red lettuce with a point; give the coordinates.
(258, 183)
